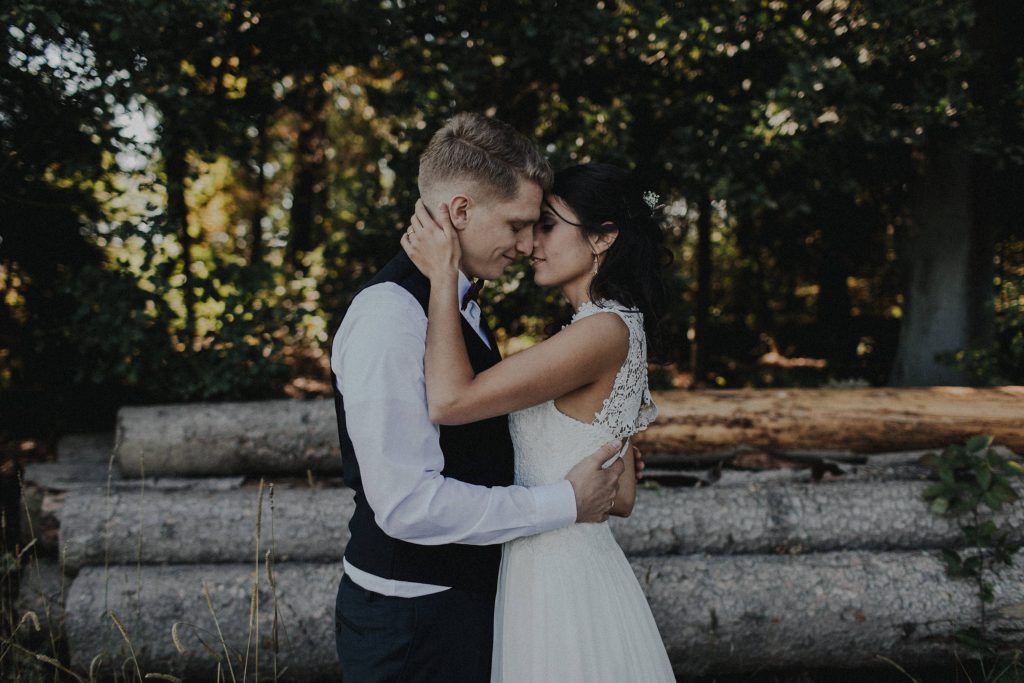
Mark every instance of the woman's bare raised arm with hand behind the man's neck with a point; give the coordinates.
(577, 357)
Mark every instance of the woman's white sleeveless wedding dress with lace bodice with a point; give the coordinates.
(569, 607)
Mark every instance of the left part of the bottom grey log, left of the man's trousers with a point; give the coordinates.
(149, 603)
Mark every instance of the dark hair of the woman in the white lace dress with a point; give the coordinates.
(607, 198)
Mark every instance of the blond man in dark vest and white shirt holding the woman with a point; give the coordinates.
(433, 504)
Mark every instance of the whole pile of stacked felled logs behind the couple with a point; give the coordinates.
(204, 568)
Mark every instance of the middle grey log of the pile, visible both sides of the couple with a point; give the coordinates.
(312, 526)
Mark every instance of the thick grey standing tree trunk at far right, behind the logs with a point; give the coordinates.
(950, 300)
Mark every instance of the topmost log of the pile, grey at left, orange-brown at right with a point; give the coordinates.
(292, 437)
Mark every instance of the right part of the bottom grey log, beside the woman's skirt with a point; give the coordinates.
(839, 610)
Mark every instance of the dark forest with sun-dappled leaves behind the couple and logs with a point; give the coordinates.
(191, 193)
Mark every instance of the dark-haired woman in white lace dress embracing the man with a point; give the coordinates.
(569, 606)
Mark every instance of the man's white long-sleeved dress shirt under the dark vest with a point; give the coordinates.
(377, 357)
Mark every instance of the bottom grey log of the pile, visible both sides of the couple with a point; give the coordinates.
(715, 613)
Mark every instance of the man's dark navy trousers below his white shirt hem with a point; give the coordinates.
(442, 637)
